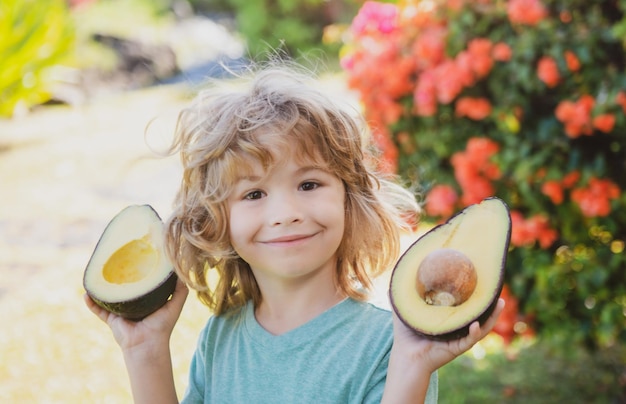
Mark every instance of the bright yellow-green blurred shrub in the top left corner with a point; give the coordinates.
(34, 35)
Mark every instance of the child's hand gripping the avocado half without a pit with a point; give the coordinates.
(155, 329)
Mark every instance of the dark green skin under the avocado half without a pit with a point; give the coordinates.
(140, 307)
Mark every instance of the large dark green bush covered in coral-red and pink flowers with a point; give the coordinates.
(526, 100)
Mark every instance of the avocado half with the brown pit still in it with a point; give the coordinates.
(453, 274)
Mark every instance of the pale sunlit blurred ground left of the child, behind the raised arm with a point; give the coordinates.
(64, 173)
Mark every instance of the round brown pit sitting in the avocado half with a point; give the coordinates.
(446, 277)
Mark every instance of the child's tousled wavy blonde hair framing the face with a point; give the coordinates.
(220, 133)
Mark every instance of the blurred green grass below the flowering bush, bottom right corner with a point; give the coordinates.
(536, 374)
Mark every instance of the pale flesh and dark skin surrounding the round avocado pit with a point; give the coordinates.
(482, 232)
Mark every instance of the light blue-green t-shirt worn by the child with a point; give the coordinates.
(341, 356)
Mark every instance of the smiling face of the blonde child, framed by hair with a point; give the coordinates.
(288, 222)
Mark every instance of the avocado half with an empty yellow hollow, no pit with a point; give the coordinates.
(129, 273)
